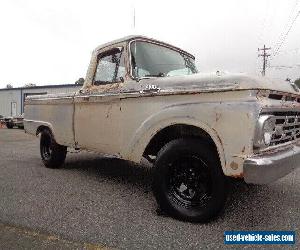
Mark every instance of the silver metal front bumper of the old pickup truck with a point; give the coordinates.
(269, 167)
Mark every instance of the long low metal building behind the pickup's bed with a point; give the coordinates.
(12, 100)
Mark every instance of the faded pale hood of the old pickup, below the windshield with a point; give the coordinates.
(211, 82)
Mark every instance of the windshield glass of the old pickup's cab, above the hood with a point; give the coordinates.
(152, 60)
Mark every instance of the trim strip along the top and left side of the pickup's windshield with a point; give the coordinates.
(156, 43)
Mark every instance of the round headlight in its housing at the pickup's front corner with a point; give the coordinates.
(264, 131)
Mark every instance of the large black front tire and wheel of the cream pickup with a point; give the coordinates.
(188, 181)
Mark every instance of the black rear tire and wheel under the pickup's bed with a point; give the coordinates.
(53, 155)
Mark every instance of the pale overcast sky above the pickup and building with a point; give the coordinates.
(50, 42)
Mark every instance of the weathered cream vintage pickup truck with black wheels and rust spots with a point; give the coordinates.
(143, 98)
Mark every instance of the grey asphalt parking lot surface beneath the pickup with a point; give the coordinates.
(97, 200)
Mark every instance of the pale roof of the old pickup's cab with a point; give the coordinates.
(133, 37)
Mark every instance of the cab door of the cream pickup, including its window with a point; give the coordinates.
(97, 111)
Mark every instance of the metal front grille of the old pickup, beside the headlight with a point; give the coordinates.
(286, 127)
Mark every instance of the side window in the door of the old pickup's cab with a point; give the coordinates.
(110, 67)
